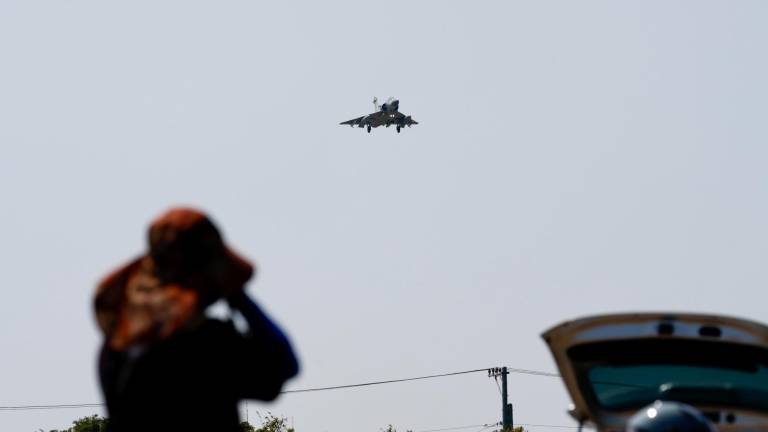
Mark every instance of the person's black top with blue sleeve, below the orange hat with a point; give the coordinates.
(194, 380)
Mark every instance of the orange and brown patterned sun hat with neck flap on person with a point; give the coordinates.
(186, 268)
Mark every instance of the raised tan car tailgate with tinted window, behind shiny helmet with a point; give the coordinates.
(613, 365)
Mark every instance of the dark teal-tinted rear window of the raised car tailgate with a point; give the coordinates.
(625, 374)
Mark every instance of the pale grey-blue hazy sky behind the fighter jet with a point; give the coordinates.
(572, 158)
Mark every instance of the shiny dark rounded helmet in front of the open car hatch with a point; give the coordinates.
(668, 416)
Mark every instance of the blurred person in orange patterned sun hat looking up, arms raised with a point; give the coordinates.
(164, 365)
